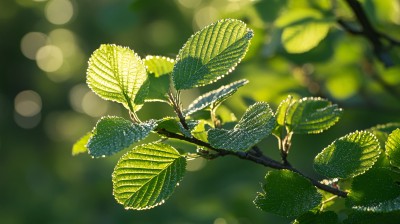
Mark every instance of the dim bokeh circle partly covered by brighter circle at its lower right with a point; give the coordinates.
(32, 42)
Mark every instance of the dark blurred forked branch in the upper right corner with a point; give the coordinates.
(375, 37)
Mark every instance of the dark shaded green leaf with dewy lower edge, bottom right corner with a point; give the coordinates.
(376, 191)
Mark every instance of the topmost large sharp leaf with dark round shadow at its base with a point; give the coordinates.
(211, 53)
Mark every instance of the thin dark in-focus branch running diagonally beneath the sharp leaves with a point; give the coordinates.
(254, 155)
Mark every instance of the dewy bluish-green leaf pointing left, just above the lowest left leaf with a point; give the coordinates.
(113, 134)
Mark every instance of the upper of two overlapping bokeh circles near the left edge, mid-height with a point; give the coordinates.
(28, 103)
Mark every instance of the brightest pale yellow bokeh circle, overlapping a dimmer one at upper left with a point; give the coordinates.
(49, 58)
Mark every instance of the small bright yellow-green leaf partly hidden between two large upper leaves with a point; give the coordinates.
(159, 65)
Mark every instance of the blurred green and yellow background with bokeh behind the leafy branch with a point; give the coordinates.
(45, 105)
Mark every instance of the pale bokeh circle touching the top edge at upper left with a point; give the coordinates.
(59, 12)
